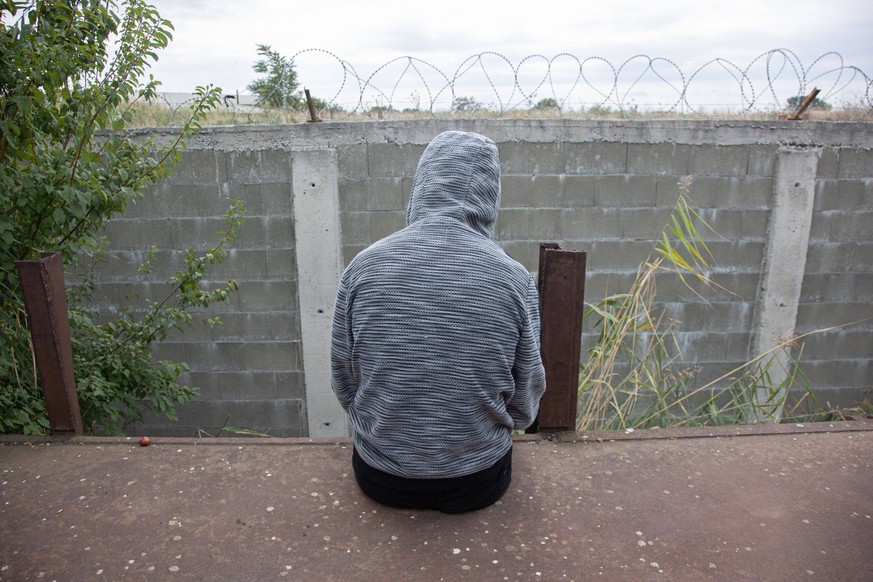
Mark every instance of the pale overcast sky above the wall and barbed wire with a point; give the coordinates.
(215, 42)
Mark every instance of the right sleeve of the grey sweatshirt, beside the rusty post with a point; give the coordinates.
(528, 372)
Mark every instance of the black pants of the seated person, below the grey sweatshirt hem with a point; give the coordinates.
(455, 495)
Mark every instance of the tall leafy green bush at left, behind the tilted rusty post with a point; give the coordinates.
(69, 72)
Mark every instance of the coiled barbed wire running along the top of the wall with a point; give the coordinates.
(490, 83)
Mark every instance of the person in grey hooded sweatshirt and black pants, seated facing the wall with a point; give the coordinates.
(435, 348)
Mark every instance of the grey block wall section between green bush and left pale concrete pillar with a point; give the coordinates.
(248, 368)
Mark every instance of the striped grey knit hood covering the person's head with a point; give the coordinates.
(458, 176)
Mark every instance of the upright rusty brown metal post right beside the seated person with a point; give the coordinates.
(562, 295)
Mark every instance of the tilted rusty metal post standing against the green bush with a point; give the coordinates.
(45, 299)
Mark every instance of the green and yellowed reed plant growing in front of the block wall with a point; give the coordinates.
(633, 376)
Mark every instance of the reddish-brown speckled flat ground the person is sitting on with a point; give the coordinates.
(742, 503)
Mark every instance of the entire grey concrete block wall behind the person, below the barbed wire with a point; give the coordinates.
(603, 187)
